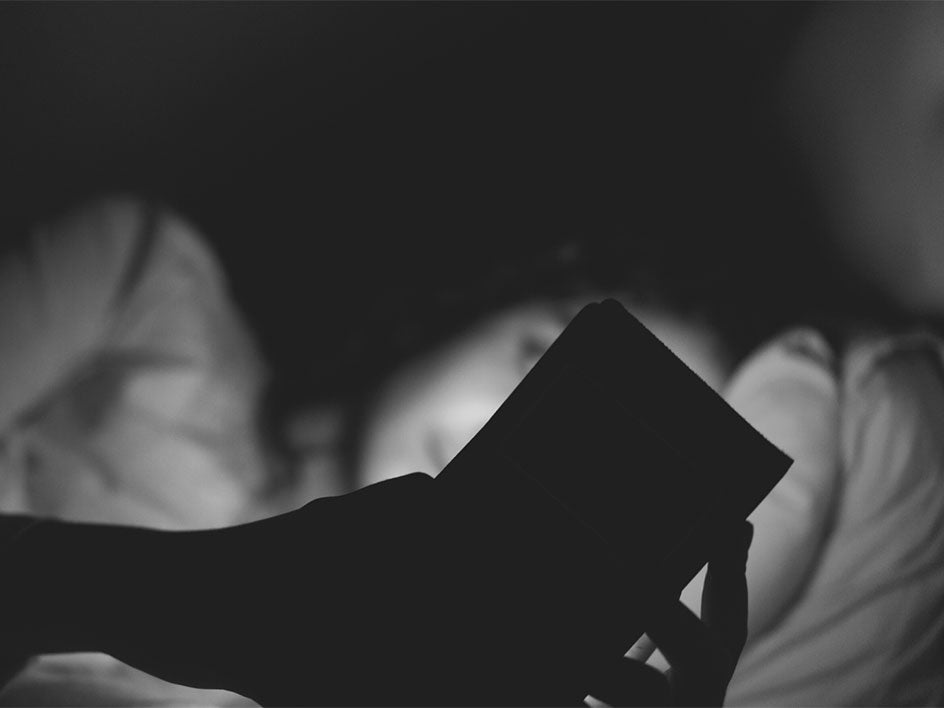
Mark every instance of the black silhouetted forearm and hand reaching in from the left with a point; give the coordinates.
(399, 594)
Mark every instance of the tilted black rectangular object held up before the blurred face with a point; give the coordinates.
(610, 464)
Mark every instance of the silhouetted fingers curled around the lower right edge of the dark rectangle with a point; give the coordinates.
(702, 654)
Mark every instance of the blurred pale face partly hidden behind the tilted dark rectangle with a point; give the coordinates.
(432, 408)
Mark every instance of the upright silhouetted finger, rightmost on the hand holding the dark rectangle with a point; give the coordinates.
(724, 598)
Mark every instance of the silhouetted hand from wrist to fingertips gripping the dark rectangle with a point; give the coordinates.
(385, 597)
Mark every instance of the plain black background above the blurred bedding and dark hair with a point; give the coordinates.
(353, 162)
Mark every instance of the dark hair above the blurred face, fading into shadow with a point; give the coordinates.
(743, 266)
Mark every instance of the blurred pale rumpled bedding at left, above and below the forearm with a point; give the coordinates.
(128, 395)
